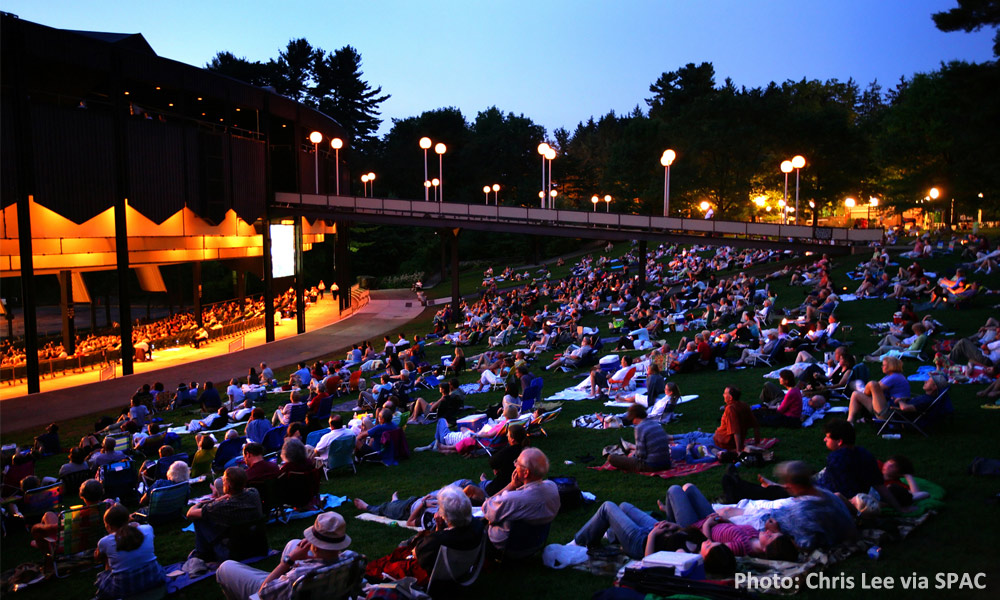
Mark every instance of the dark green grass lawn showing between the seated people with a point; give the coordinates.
(962, 538)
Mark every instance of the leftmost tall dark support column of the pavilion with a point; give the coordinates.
(24, 155)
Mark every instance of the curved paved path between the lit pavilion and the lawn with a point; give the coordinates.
(386, 311)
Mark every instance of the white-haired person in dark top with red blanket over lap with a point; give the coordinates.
(454, 527)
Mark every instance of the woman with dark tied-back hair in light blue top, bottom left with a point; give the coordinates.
(131, 566)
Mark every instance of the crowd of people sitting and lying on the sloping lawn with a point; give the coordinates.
(708, 293)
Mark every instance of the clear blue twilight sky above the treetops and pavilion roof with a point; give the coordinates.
(558, 62)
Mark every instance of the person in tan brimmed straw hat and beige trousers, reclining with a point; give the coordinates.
(324, 544)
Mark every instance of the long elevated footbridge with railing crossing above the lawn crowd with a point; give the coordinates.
(418, 209)
